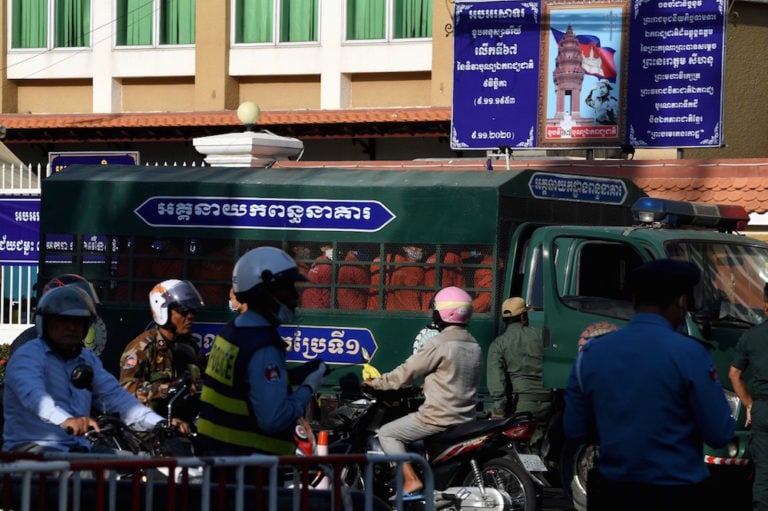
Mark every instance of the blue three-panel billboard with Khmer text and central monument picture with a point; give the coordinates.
(601, 73)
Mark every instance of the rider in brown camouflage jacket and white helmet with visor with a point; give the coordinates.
(166, 352)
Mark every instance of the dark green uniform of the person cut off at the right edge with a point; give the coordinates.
(752, 354)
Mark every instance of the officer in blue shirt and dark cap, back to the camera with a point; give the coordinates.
(651, 397)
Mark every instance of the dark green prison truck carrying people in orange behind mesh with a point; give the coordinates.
(564, 242)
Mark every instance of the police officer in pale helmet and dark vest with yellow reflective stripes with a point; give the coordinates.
(246, 405)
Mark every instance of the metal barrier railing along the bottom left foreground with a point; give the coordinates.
(90, 481)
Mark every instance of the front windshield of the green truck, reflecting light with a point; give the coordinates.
(733, 278)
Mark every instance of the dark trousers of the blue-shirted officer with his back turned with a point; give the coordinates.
(606, 495)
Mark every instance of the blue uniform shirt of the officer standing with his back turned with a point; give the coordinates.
(652, 396)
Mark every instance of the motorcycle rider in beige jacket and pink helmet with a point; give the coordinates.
(451, 364)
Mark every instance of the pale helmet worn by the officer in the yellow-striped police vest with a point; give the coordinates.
(264, 265)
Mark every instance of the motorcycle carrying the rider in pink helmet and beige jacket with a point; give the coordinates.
(476, 462)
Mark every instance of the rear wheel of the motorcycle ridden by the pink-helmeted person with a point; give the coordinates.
(511, 479)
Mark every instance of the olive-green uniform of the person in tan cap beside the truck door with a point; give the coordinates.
(514, 370)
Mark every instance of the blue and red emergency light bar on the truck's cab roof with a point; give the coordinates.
(669, 213)
